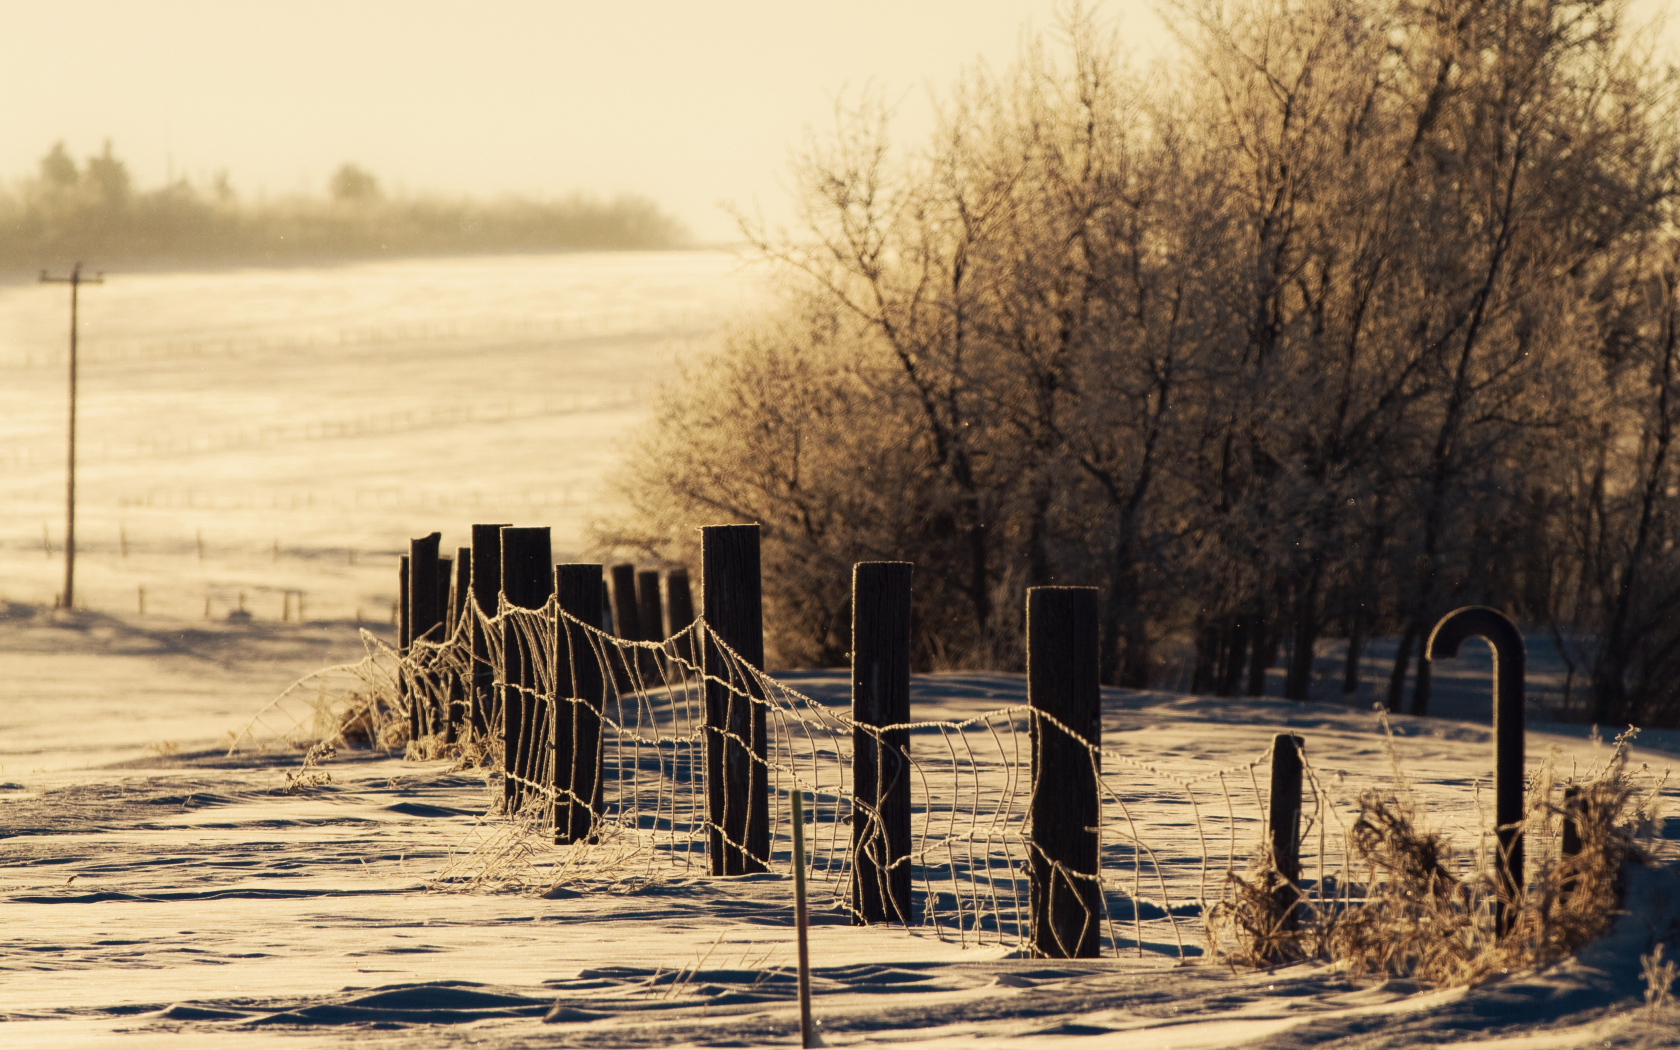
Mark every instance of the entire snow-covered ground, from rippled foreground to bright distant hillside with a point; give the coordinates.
(305, 424)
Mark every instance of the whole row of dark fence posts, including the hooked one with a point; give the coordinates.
(1063, 685)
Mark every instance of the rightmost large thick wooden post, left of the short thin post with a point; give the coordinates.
(1063, 683)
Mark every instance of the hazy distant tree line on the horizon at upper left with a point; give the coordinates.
(93, 213)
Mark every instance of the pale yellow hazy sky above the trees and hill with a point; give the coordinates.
(691, 103)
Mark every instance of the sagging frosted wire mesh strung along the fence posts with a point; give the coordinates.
(614, 789)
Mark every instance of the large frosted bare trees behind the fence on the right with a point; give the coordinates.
(1360, 312)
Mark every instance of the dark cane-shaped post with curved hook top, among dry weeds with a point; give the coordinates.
(1509, 671)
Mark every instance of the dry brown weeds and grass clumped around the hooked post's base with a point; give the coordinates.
(1431, 913)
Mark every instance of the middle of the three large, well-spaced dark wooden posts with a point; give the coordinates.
(881, 770)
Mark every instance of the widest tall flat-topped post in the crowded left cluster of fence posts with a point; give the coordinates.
(527, 584)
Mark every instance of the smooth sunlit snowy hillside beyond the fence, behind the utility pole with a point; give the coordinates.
(246, 434)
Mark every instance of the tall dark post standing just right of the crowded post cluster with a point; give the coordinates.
(737, 772)
